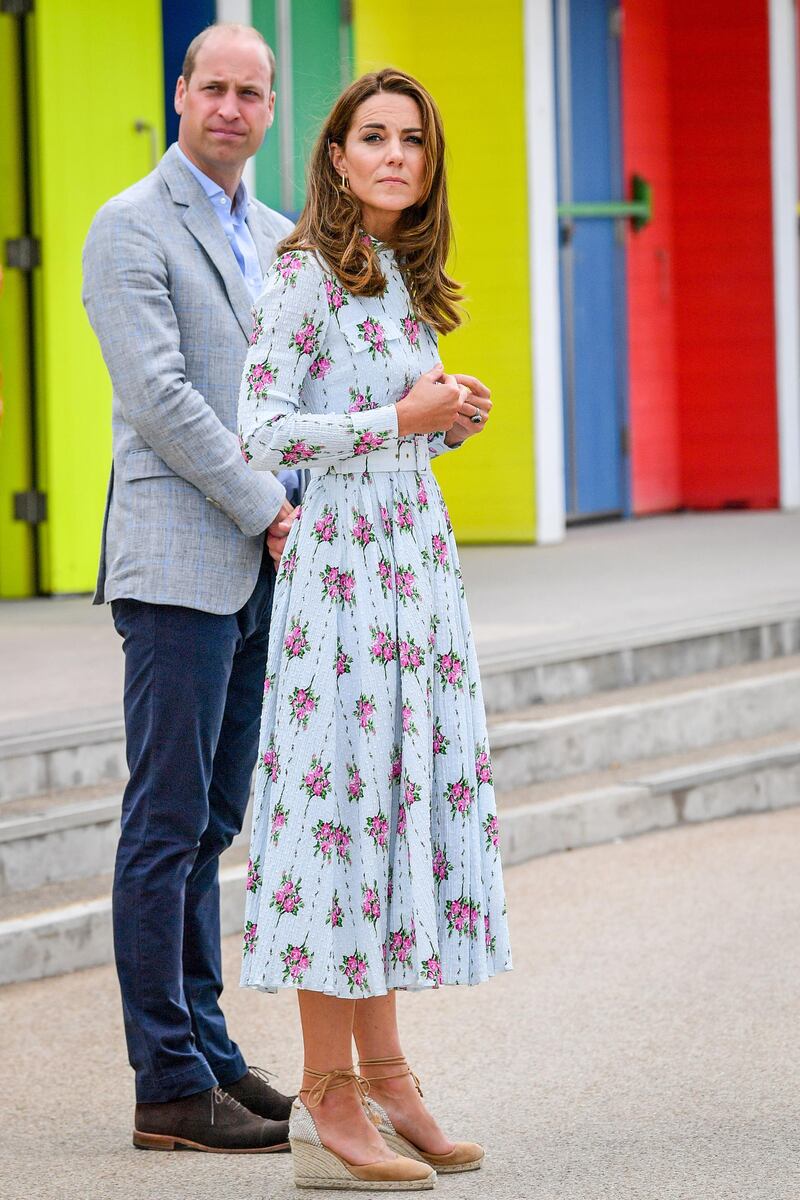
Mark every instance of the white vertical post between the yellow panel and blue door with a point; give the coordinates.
(544, 272)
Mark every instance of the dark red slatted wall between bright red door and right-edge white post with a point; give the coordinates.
(724, 289)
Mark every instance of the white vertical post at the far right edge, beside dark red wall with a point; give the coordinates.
(784, 104)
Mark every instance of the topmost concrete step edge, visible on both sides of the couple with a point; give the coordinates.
(55, 754)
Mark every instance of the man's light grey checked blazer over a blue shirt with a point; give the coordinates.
(185, 517)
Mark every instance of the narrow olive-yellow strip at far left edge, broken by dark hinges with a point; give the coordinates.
(16, 539)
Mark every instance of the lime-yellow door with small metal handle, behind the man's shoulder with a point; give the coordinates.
(97, 70)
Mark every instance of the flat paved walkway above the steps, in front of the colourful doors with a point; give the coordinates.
(610, 581)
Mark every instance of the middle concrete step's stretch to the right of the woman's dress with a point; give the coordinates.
(549, 742)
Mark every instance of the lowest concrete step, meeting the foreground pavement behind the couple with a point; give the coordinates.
(67, 927)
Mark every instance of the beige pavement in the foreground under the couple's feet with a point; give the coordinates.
(645, 1048)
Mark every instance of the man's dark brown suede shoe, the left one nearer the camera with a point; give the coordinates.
(209, 1121)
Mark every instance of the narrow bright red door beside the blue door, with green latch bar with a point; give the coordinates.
(647, 149)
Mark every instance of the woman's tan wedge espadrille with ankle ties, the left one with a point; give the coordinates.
(317, 1167)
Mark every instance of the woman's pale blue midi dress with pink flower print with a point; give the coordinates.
(375, 850)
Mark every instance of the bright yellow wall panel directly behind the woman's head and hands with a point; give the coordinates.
(471, 58)
